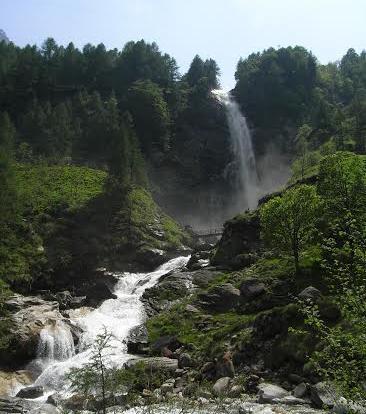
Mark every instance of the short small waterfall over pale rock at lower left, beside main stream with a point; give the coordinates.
(55, 344)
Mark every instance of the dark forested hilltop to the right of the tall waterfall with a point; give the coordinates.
(301, 104)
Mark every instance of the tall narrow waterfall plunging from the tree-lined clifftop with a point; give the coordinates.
(242, 170)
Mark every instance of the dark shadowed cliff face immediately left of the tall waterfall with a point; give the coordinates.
(191, 183)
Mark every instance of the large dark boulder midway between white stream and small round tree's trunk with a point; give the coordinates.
(220, 298)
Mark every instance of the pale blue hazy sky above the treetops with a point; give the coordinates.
(221, 29)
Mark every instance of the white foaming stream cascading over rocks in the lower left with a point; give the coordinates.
(56, 353)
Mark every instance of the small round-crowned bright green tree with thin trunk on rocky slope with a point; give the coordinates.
(288, 221)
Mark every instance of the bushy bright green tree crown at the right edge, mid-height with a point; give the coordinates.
(342, 186)
